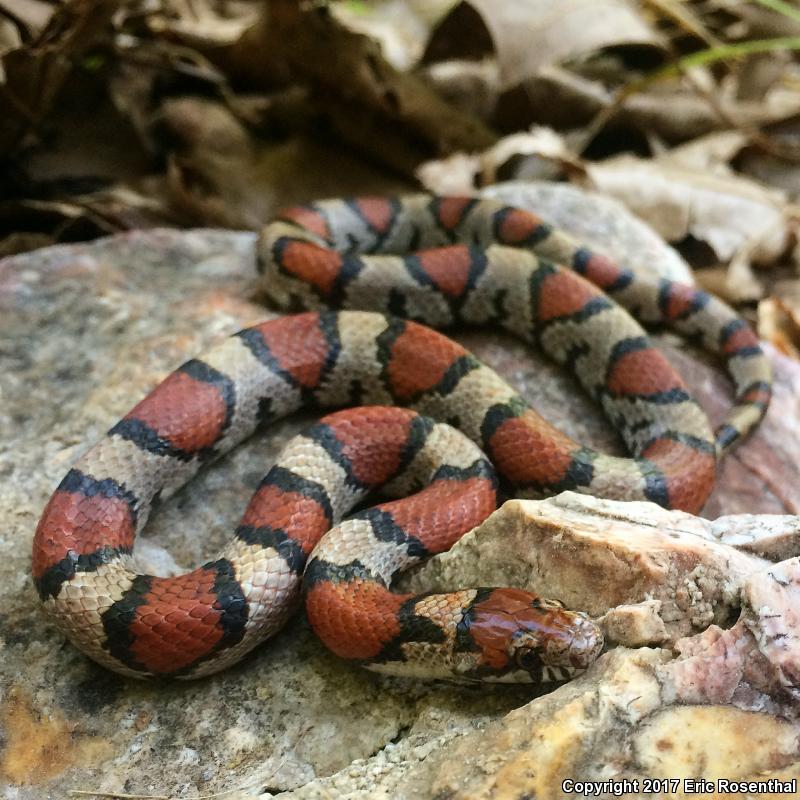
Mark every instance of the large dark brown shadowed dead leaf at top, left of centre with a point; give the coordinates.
(394, 117)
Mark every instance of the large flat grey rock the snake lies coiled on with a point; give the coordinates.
(85, 331)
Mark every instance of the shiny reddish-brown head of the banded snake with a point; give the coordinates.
(520, 632)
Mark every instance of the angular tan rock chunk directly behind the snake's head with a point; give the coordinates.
(595, 555)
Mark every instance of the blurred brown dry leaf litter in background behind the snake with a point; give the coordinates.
(200, 112)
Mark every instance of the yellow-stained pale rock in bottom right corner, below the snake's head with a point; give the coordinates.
(615, 723)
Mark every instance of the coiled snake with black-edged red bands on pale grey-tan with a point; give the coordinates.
(364, 283)
